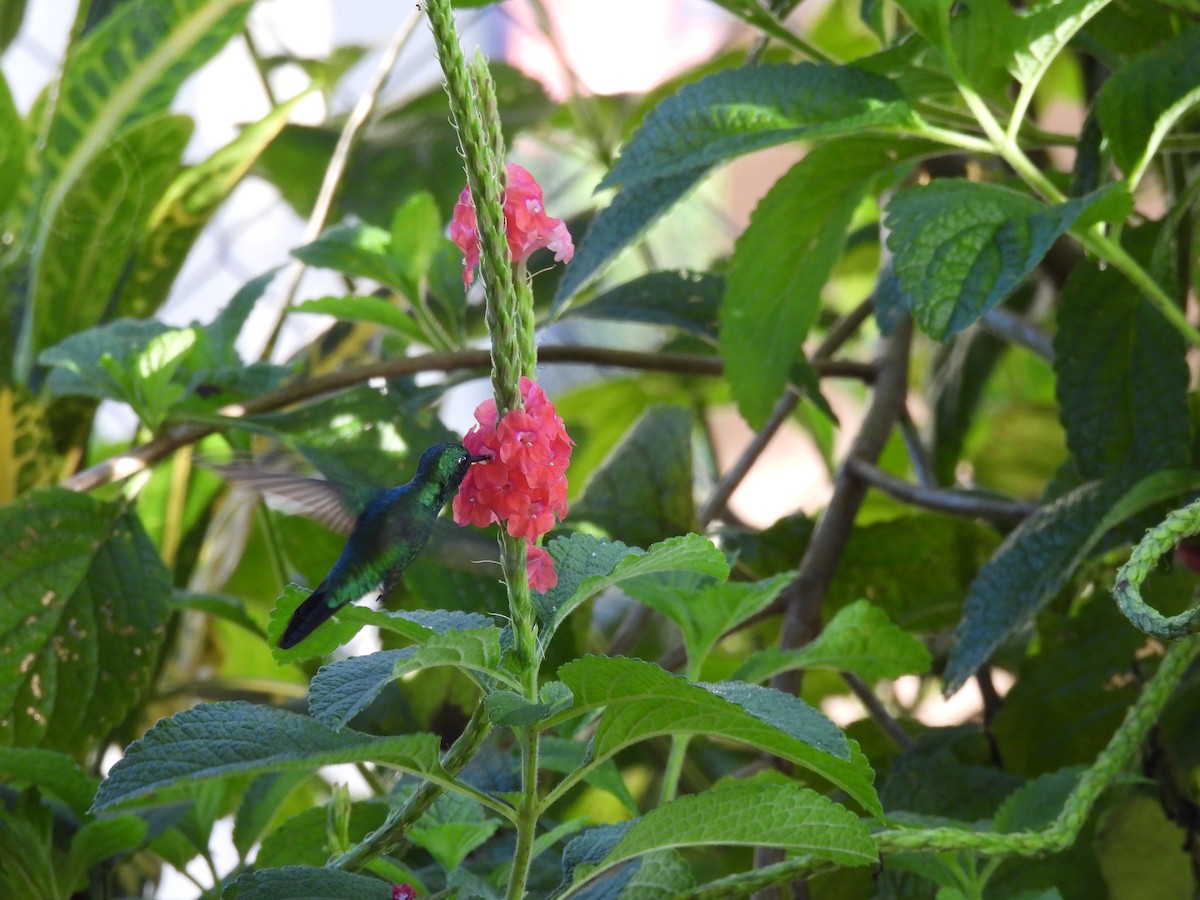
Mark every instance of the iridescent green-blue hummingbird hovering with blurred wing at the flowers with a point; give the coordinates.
(387, 529)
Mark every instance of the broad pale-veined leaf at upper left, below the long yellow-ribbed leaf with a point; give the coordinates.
(97, 226)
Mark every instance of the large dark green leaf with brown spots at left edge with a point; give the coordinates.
(83, 610)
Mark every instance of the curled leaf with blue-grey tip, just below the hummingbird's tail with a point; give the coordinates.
(344, 689)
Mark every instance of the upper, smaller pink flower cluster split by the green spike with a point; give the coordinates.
(529, 227)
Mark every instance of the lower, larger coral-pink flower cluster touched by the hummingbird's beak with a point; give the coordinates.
(524, 484)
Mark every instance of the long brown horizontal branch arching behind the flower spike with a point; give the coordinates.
(181, 435)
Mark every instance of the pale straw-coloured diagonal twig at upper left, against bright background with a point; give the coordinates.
(333, 181)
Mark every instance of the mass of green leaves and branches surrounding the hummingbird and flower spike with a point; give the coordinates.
(977, 313)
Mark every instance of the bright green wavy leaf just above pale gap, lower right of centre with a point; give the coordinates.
(860, 640)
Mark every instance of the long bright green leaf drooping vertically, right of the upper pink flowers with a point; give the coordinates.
(784, 259)
